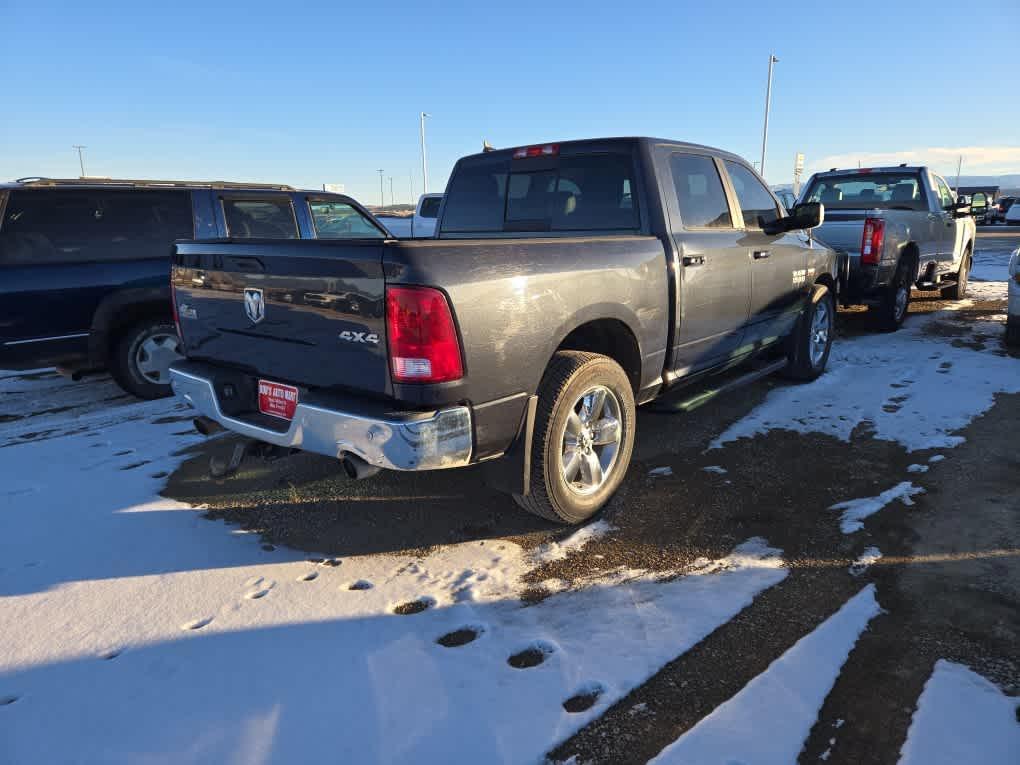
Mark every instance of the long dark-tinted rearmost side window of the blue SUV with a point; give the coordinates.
(93, 226)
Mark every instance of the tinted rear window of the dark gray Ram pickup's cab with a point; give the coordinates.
(581, 193)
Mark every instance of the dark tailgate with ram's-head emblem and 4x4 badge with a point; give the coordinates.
(310, 314)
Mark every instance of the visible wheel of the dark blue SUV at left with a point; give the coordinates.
(143, 356)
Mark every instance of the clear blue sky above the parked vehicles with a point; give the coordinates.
(331, 92)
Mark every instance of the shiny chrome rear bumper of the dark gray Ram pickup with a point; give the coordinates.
(418, 441)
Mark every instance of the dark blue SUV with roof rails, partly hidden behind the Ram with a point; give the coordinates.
(85, 265)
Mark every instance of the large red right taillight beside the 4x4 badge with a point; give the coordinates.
(423, 338)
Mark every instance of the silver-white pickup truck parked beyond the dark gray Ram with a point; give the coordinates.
(898, 228)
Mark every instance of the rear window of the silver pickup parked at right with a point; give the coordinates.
(885, 191)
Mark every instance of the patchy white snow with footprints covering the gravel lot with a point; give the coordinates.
(134, 630)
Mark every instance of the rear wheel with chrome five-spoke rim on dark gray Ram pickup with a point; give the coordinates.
(584, 437)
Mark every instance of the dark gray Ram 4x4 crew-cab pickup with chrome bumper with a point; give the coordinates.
(567, 284)
